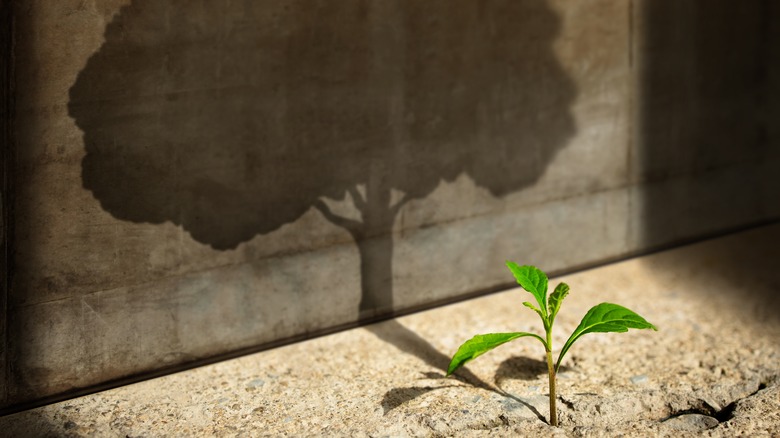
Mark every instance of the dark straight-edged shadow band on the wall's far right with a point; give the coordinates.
(707, 103)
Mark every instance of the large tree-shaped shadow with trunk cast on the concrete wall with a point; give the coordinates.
(231, 119)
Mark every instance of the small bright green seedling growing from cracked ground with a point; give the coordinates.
(602, 318)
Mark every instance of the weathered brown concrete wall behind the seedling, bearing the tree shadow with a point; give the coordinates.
(195, 178)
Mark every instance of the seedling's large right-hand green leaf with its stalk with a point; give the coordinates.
(604, 318)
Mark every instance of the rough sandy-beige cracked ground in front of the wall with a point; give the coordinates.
(712, 369)
